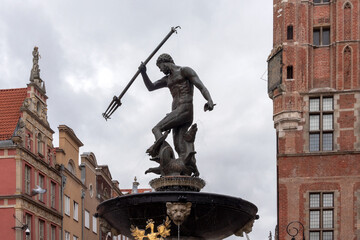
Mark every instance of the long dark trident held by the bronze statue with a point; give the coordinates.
(115, 103)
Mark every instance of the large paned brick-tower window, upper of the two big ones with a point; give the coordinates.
(321, 124)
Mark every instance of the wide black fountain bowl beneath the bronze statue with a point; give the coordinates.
(213, 216)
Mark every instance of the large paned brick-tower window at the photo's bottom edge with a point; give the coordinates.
(321, 216)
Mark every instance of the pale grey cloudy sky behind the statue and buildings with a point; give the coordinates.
(91, 49)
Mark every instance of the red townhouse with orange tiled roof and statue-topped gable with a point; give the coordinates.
(28, 163)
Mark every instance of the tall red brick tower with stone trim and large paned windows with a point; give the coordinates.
(314, 82)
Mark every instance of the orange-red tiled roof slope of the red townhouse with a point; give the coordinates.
(10, 102)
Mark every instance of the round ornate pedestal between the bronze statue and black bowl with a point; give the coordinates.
(177, 183)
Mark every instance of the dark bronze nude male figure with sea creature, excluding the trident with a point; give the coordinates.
(181, 82)
